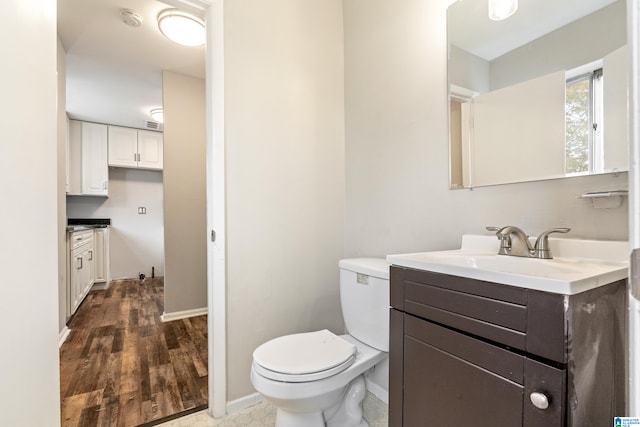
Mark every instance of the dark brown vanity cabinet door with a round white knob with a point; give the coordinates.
(453, 379)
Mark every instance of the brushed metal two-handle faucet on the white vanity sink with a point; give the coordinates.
(515, 242)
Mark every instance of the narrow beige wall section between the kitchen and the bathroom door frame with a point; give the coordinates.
(185, 229)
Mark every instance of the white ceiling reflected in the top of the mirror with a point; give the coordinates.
(471, 29)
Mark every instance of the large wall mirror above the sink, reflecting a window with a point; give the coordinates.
(539, 95)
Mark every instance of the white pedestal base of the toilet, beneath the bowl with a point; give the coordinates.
(347, 412)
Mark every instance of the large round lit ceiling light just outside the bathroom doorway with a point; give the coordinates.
(181, 27)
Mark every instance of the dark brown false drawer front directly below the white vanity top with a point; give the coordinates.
(519, 318)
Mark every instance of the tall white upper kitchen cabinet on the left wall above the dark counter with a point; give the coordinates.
(87, 159)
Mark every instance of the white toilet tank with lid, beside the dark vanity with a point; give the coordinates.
(364, 296)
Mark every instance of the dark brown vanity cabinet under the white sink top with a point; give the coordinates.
(474, 353)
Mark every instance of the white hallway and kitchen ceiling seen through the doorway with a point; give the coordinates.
(114, 71)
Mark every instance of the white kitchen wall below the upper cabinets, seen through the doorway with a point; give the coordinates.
(136, 241)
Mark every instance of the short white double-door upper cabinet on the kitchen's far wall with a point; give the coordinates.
(133, 148)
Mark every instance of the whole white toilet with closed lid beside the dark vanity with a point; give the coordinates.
(316, 379)
